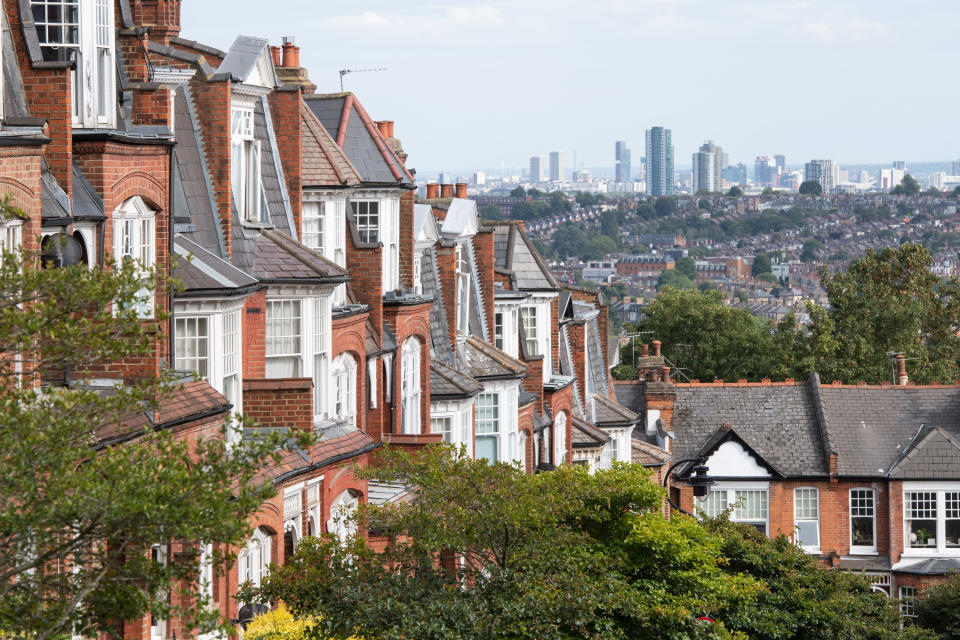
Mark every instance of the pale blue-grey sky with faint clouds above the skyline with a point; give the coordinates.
(473, 85)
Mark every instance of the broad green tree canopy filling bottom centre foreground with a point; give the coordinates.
(487, 551)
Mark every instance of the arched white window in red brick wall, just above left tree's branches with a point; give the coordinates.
(135, 238)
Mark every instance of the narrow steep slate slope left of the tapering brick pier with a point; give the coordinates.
(194, 201)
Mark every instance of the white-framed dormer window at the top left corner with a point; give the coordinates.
(83, 31)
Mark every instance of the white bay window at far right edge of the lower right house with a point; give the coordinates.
(932, 520)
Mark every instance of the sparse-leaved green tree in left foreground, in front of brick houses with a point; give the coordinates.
(79, 515)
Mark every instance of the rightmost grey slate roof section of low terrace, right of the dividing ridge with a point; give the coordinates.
(869, 427)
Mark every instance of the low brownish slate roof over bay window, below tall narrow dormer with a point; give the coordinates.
(279, 258)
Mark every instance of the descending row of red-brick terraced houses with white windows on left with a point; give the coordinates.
(318, 292)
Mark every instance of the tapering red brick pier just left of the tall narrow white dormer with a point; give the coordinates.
(213, 111)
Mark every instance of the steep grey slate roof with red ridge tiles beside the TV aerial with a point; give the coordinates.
(348, 123)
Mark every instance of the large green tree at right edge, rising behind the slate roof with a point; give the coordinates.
(887, 302)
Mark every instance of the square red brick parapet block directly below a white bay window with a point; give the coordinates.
(279, 402)
